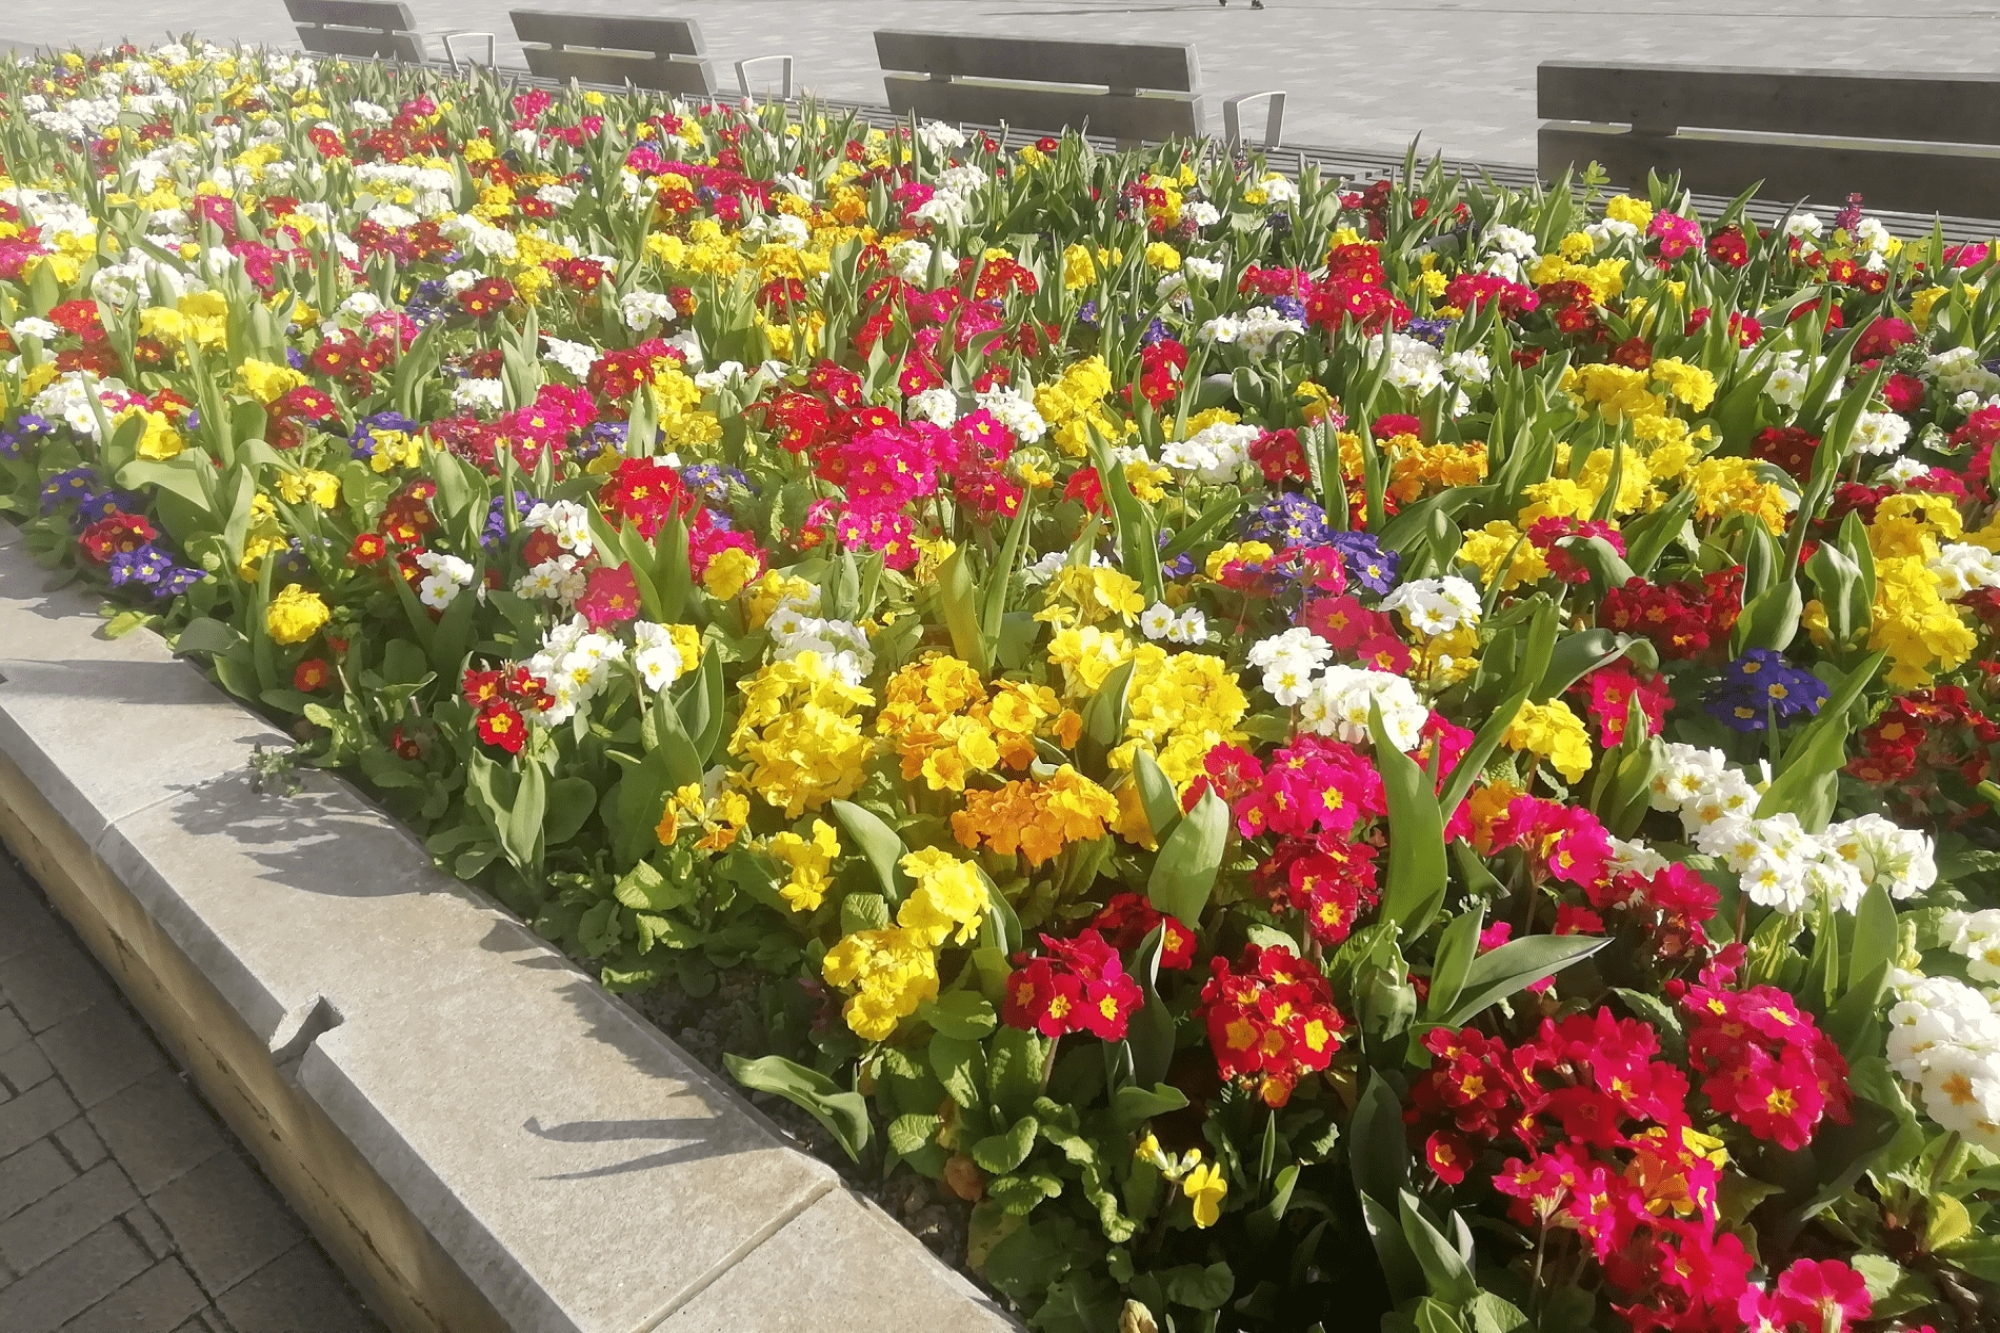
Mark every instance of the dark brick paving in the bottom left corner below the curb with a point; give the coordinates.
(125, 1206)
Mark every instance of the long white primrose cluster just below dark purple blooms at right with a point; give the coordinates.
(1775, 860)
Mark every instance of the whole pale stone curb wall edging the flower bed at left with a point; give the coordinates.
(479, 1134)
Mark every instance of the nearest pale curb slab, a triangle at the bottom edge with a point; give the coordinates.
(841, 1266)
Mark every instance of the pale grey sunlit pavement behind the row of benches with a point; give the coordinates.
(1361, 75)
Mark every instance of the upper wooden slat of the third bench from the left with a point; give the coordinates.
(1167, 67)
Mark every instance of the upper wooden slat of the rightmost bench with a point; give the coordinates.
(1935, 109)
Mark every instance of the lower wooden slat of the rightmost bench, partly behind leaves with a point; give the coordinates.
(1957, 181)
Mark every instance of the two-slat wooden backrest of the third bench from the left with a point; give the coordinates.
(1129, 91)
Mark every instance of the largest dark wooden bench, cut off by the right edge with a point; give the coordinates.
(1813, 135)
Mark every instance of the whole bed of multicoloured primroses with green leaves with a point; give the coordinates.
(1313, 758)
